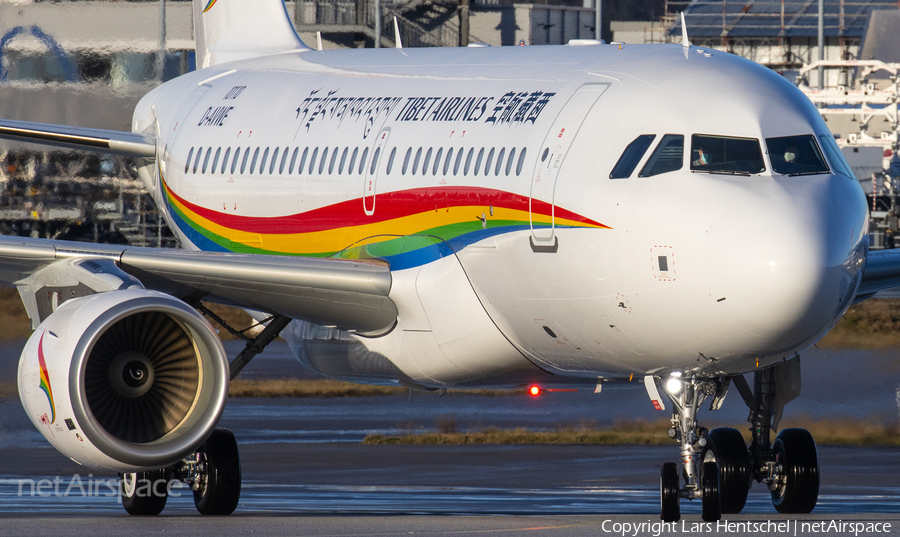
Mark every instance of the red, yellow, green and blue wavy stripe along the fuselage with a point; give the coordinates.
(409, 228)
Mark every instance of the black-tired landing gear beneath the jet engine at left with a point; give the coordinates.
(213, 473)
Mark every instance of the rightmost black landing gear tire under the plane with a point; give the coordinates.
(797, 485)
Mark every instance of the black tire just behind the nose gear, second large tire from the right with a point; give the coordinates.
(725, 446)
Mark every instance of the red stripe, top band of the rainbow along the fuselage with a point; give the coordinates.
(389, 206)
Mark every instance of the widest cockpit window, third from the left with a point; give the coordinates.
(726, 154)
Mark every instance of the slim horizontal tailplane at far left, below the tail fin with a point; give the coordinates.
(118, 142)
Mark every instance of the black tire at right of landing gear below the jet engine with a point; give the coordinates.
(220, 485)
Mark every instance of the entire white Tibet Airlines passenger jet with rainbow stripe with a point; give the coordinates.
(572, 215)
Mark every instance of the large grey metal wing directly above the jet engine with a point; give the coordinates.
(347, 294)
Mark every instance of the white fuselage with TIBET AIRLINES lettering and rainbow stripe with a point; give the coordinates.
(537, 259)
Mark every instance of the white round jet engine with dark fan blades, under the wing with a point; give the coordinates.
(124, 380)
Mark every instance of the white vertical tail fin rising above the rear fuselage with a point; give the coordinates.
(228, 30)
